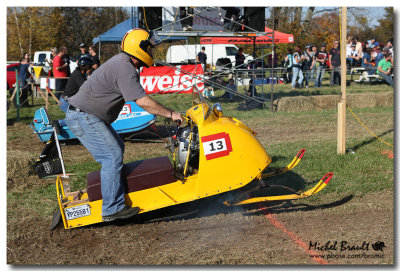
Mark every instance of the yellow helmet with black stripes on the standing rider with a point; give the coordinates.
(138, 43)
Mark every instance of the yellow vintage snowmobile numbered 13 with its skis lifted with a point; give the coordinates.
(211, 154)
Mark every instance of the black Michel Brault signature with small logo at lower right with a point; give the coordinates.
(346, 246)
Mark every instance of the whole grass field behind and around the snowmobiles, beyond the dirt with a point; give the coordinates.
(367, 172)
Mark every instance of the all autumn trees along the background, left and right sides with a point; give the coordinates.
(40, 28)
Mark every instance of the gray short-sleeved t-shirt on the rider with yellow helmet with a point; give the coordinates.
(108, 88)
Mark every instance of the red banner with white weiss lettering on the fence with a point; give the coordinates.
(164, 79)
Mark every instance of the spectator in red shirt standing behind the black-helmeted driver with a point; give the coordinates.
(60, 71)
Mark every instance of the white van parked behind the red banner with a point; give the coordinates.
(188, 53)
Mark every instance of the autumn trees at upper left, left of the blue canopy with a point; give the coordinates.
(33, 29)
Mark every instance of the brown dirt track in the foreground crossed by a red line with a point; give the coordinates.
(279, 233)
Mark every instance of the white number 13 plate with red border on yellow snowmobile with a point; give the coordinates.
(217, 145)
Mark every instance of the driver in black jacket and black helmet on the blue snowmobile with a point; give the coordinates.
(77, 78)
